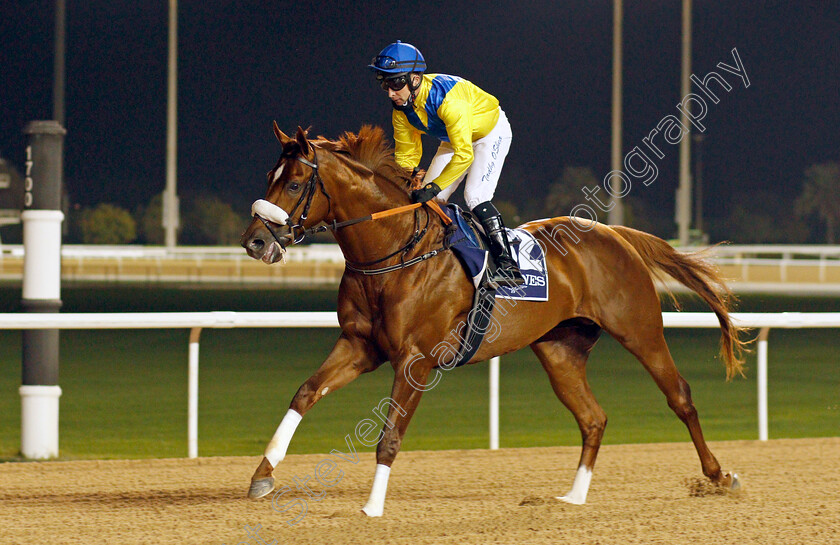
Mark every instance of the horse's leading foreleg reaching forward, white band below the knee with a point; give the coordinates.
(349, 358)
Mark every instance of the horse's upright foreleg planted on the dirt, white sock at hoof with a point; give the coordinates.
(401, 406)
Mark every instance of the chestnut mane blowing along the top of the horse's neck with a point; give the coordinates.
(372, 150)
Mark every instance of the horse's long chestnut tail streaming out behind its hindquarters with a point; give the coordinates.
(700, 276)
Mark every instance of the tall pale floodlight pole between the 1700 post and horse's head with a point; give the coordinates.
(170, 195)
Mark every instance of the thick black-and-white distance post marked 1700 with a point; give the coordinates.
(41, 219)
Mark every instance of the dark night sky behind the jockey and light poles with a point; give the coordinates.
(243, 64)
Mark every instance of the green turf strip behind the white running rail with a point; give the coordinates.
(124, 392)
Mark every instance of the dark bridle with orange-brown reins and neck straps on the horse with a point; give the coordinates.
(310, 188)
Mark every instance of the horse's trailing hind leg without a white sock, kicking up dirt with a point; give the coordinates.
(649, 347)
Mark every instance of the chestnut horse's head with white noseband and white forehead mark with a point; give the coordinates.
(291, 204)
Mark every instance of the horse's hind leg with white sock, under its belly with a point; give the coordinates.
(563, 352)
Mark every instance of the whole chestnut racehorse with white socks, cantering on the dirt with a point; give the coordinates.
(600, 278)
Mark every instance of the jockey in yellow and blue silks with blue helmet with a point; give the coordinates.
(475, 138)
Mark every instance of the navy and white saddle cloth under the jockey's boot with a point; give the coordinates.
(467, 241)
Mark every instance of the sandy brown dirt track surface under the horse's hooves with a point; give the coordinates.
(640, 494)
